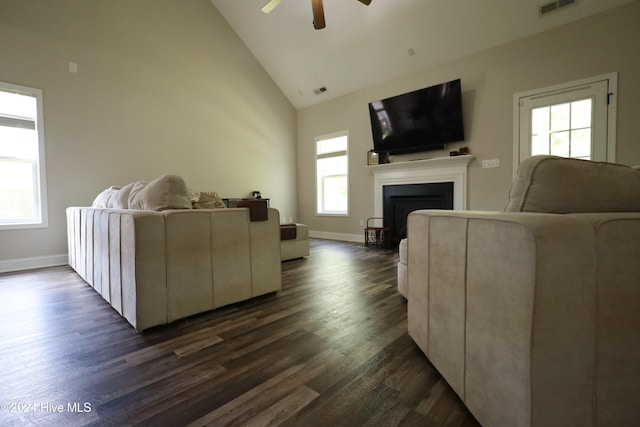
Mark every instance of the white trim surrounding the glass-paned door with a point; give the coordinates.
(612, 78)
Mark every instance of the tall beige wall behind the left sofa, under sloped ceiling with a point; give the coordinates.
(163, 86)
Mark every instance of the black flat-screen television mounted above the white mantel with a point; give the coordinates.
(423, 120)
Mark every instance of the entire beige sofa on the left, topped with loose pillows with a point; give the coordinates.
(158, 252)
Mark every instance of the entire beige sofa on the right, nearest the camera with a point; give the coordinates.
(532, 315)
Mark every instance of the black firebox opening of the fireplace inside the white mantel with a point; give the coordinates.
(400, 200)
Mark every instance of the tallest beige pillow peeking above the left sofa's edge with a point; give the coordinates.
(165, 192)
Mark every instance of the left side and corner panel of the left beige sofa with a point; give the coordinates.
(121, 254)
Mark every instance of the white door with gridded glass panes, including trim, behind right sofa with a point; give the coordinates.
(576, 120)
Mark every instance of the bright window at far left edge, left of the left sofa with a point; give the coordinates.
(22, 190)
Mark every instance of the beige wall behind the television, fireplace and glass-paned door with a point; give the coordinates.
(598, 45)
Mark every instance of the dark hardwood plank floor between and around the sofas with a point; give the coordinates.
(330, 349)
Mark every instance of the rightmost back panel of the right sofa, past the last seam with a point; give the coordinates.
(618, 326)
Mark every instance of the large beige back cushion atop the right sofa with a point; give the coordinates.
(562, 185)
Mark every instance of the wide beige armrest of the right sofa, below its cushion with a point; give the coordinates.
(503, 304)
